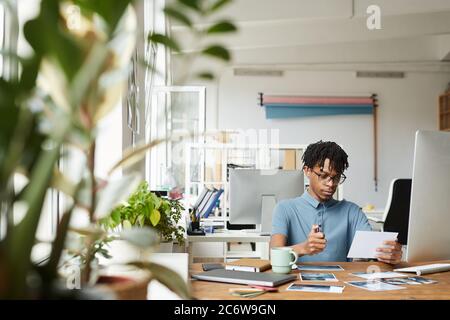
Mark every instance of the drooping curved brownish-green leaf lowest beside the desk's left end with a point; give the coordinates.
(169, 278)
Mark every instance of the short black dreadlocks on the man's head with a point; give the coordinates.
(316, 153)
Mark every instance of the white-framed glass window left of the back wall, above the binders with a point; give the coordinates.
(175, 111)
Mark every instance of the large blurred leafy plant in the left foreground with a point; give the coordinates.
(71, 80)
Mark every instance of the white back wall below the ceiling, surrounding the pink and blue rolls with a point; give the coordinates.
(405, 105)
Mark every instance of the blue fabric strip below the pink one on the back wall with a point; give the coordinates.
(280, 112)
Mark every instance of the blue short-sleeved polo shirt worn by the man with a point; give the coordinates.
(339, 219)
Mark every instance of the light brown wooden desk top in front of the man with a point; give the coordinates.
(437, 291)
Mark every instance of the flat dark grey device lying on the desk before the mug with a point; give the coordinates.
(268, 279)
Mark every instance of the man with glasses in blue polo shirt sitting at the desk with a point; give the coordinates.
(316, 226)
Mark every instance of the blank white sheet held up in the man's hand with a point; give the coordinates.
(365, 243)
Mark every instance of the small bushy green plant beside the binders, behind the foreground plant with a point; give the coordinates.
(145, 208)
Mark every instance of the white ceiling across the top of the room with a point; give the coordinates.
(332, 34)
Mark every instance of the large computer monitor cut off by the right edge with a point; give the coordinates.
(429, 217)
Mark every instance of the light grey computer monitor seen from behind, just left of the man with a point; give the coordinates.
(254, 194)
